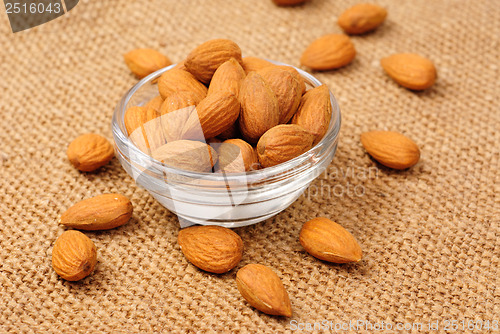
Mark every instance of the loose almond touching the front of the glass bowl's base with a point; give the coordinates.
(214, 249)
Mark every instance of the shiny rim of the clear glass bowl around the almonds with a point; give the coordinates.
(118, 127)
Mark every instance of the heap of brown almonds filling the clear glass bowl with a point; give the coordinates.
(253, 114)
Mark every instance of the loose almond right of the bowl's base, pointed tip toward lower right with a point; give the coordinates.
(328, 241)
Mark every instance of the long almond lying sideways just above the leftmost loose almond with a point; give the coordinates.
(101, 212)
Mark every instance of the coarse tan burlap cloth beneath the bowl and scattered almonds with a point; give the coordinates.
(430, 235)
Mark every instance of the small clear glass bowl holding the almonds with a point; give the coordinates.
(230, 200)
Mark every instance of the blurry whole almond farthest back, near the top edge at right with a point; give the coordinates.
(362, 18)
